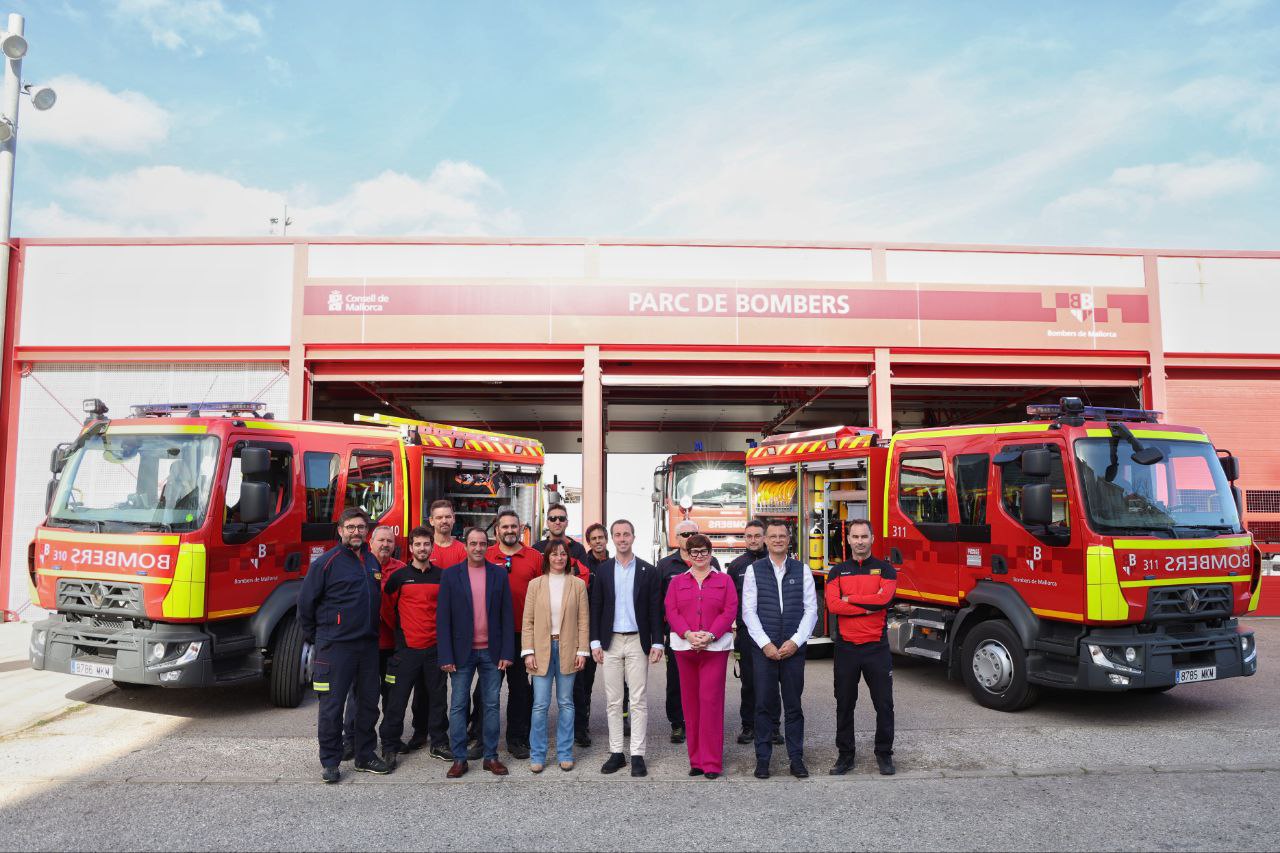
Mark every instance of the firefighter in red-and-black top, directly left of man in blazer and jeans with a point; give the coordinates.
(409, 606)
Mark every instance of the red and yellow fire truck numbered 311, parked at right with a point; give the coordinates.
(1087, 549)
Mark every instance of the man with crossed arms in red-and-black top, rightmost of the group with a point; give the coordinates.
(858, 594)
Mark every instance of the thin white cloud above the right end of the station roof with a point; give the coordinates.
(1140, 190)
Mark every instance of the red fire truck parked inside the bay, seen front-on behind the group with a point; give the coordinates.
(708, 489)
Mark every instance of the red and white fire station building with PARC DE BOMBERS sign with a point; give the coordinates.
(612, 348)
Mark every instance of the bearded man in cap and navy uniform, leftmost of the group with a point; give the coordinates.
(339, 612)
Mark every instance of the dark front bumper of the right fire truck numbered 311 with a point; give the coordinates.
(1163, 654)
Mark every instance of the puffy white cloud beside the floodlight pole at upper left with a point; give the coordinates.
(92, 117)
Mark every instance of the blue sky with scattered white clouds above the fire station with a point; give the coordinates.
(1081, 124)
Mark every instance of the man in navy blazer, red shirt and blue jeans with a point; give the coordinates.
(477, 633)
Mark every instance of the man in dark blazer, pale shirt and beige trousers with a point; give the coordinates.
(627, 640)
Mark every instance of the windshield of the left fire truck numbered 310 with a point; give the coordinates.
(122, 481)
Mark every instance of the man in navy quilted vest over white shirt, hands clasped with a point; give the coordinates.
(780, 610)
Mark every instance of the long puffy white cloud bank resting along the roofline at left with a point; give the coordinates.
(454, 199)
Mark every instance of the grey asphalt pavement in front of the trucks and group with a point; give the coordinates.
(150, 769)
